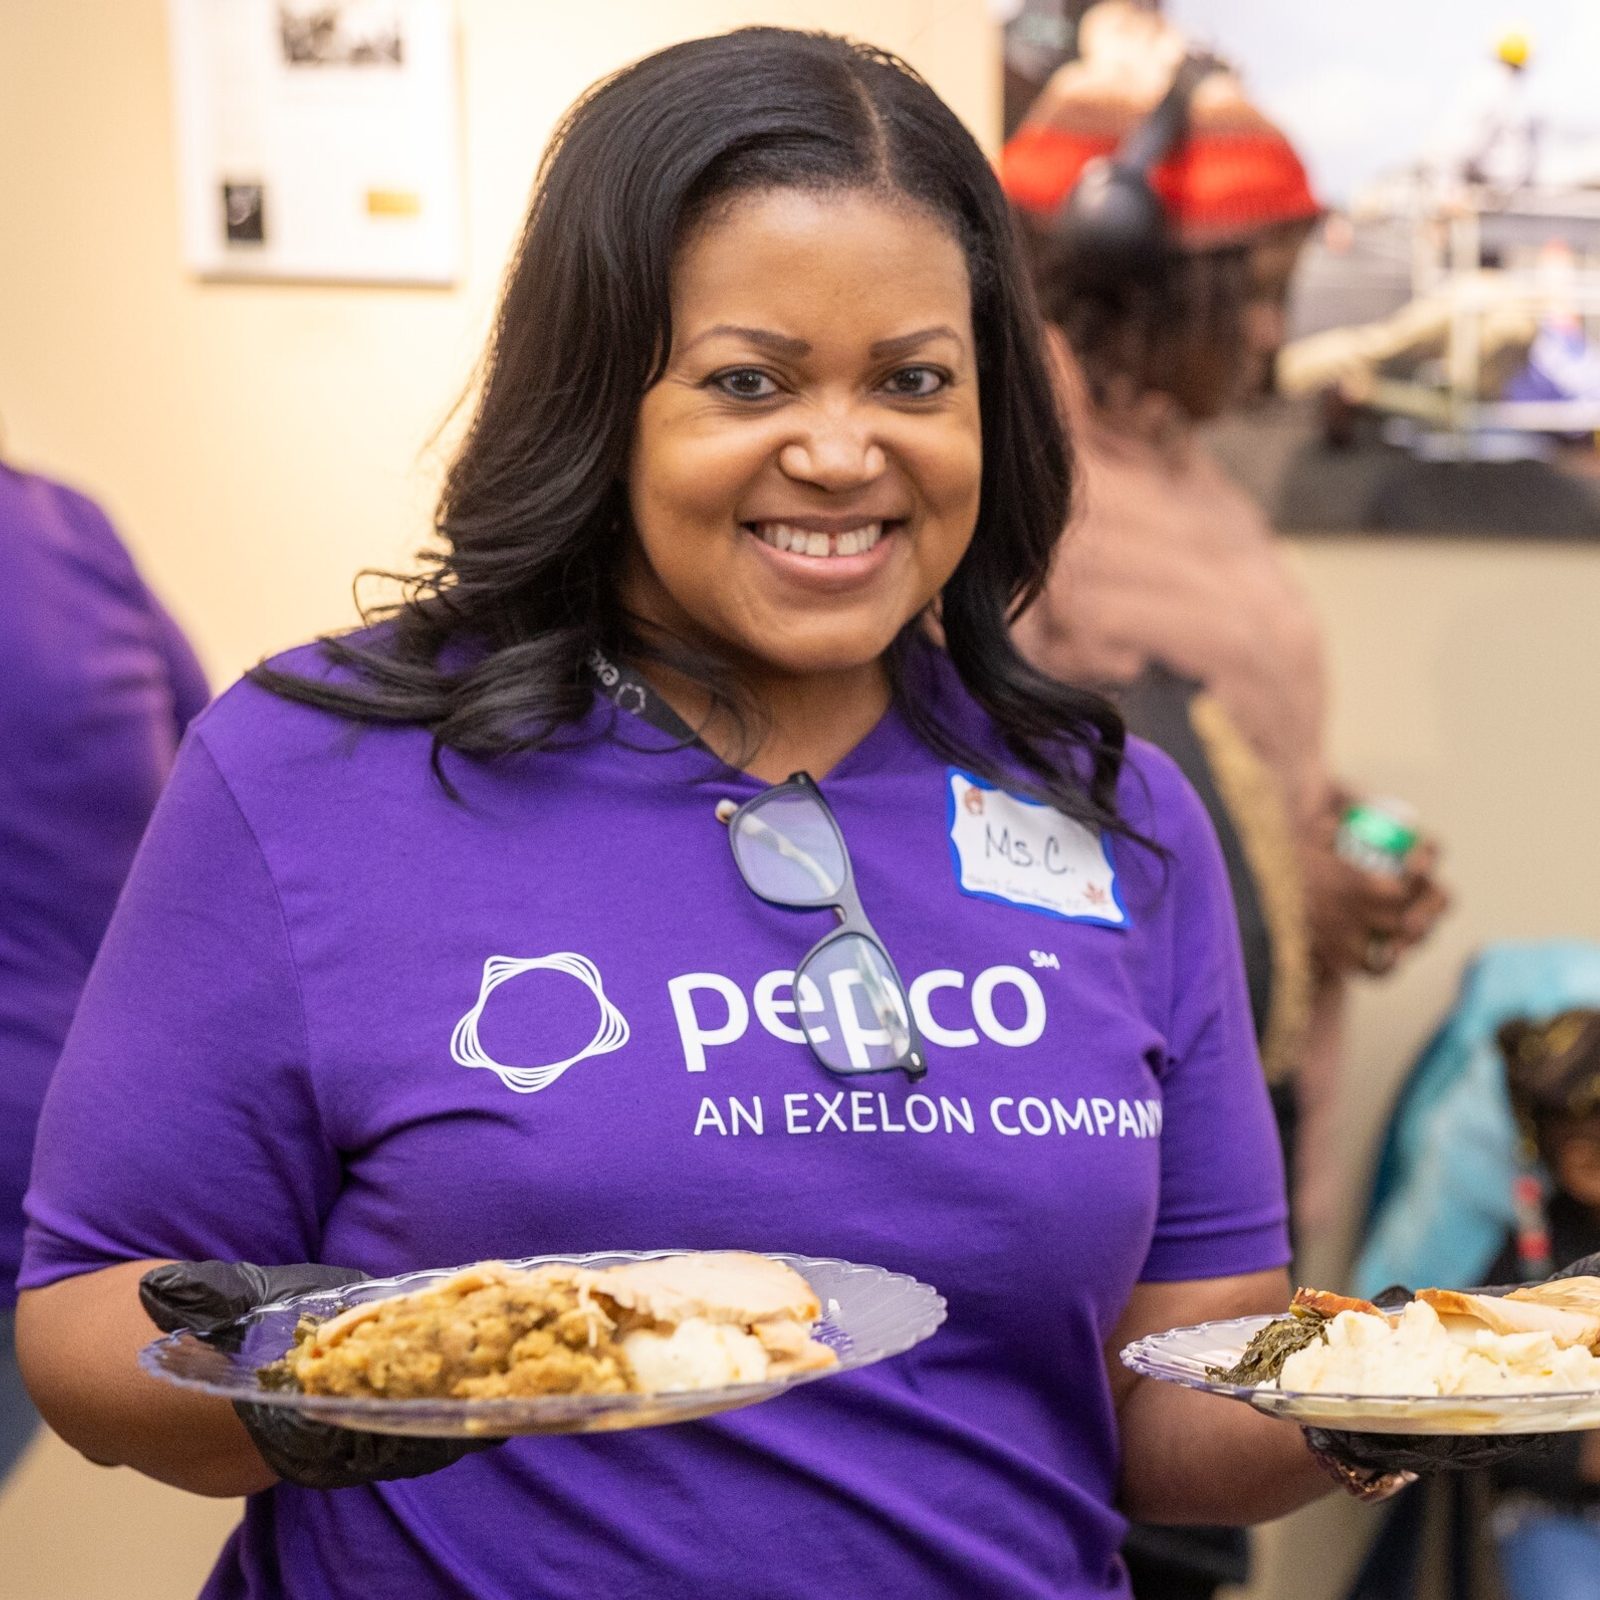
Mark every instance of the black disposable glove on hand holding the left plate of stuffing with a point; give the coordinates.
(207, 1297)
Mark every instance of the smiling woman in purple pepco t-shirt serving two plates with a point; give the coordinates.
(767, 457)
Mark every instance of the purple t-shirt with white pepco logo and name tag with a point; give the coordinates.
(330, 1023)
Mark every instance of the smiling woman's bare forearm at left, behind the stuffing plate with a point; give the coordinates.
(78, 1345)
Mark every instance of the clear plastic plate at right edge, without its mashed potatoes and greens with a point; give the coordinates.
(1182, 1356)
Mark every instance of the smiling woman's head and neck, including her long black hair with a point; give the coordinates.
(815, 322)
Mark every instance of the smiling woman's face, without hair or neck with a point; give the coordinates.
(806, 474)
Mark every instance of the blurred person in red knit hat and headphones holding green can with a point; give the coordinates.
(1164, 215)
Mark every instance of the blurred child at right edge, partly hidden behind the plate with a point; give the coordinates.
(1548, 1516)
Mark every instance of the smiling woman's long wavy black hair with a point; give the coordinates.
(490, 646)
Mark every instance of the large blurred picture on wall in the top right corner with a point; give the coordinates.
(1441, 359)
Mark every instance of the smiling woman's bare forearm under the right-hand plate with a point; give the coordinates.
(1196, 1458)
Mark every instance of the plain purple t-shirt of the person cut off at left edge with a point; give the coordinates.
(97, 686)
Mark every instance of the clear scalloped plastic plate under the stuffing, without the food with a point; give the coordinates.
(868, 1316)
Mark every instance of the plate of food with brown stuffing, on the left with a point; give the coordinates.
(558, 1345)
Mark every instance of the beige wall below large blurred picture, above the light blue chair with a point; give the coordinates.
(1466, 679)
